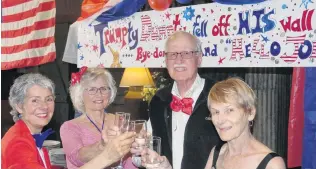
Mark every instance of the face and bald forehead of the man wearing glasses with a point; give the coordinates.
(182, 69)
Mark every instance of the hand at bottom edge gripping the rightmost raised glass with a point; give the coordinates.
(148, 155)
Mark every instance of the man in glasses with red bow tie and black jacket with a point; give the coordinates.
(177, 113)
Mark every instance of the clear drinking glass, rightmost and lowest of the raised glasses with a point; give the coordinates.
(153, 152)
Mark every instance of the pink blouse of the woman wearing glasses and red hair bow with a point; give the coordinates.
(74, 137)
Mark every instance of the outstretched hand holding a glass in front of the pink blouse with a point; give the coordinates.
(119, 146)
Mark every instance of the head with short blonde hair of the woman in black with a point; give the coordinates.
(232, 106)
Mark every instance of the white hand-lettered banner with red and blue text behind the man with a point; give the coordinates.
(269, 34)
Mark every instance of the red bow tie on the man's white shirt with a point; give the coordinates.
(184, 105)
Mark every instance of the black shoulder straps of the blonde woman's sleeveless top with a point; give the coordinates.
(262, 165)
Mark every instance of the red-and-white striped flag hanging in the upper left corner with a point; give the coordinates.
(27, 31)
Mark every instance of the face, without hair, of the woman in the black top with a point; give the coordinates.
(230, 120)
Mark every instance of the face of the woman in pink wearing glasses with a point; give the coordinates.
(96, 95)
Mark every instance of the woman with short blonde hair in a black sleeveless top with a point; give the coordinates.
(232, 110)
